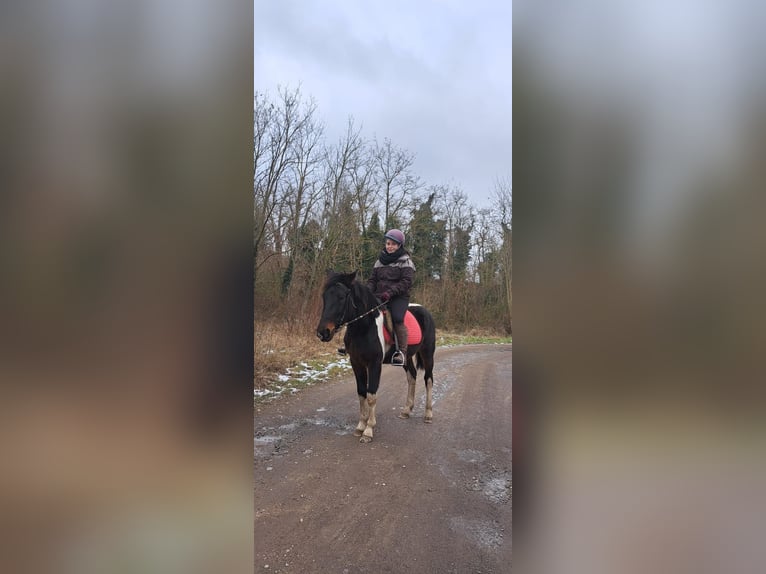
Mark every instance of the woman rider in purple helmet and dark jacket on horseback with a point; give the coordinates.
(391, 281)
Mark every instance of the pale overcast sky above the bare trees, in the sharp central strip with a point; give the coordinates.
(433, 76)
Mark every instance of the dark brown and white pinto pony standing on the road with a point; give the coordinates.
(347, 302)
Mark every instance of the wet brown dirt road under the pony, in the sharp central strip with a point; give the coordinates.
(419, 498)
